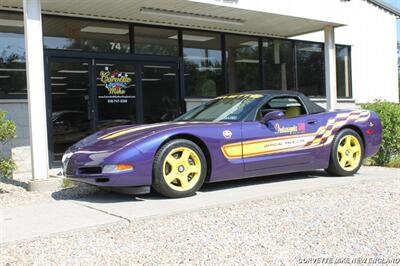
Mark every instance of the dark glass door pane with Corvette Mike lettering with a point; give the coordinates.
(115, 91)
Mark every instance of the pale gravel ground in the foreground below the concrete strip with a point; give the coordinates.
(359, 220)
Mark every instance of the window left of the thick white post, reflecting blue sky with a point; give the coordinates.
(12, 56)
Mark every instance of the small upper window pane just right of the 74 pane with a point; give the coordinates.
(156, 41)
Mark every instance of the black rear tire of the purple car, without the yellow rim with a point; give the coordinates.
(334, 167)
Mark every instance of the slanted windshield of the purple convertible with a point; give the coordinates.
(224, 108)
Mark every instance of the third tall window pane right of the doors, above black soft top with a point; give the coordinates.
(278, 64)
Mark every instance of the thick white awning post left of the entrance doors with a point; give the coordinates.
(36, 88)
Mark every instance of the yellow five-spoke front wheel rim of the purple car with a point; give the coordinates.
(182, 169)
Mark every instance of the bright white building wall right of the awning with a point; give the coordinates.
(371, 32)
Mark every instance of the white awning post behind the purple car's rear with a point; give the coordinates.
(330, 67)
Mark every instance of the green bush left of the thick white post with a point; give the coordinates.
(7, 132)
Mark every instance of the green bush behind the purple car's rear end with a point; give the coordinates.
(389, 113)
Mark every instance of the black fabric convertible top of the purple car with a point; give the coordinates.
(312, 107)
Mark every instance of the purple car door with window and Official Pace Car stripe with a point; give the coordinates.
(276, 145)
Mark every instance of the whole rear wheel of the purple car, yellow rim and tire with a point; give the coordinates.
(346, 154)
